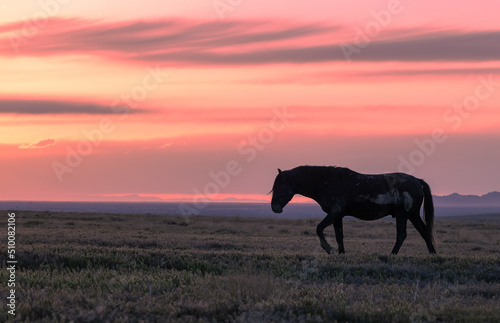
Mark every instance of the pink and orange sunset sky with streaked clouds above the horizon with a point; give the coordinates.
(188, 99)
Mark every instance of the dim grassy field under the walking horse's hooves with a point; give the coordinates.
(87, 267)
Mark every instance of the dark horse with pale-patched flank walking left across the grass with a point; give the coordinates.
(342, 192)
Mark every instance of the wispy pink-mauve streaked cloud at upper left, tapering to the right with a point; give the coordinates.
(140, 39)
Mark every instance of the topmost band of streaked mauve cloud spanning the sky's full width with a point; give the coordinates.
(245, 42)
